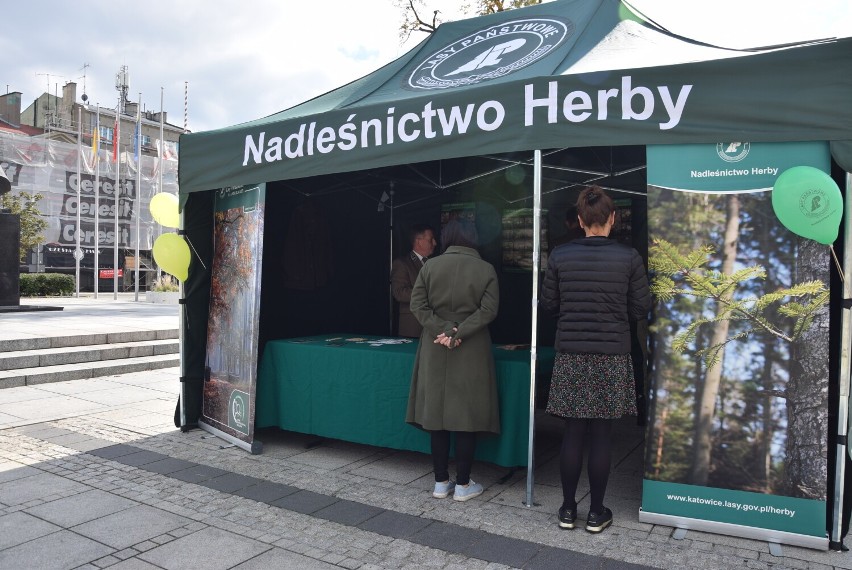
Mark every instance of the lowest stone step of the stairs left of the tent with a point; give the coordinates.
(63, 372)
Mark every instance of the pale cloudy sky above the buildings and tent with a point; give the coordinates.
(245, 60)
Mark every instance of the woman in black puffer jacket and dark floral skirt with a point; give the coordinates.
(596, 286)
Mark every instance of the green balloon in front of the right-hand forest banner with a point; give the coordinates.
(808, 202)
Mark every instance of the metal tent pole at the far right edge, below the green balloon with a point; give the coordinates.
(835, 538)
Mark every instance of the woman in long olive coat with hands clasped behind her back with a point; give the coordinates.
(453, 386)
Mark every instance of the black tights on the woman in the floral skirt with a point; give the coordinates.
(571, 460)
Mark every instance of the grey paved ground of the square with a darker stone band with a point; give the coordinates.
(89, 479)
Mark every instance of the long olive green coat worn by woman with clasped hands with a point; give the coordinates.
(455, 389)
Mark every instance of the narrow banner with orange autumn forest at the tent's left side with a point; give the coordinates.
(232, 331)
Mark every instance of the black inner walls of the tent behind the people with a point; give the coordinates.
(367, 215)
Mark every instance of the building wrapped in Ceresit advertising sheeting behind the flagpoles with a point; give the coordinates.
(94, 181)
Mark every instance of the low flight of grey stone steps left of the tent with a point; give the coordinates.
(26, 362)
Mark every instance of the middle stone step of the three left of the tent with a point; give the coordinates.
(12, 360)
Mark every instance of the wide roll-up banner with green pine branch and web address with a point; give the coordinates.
(738, 415)
